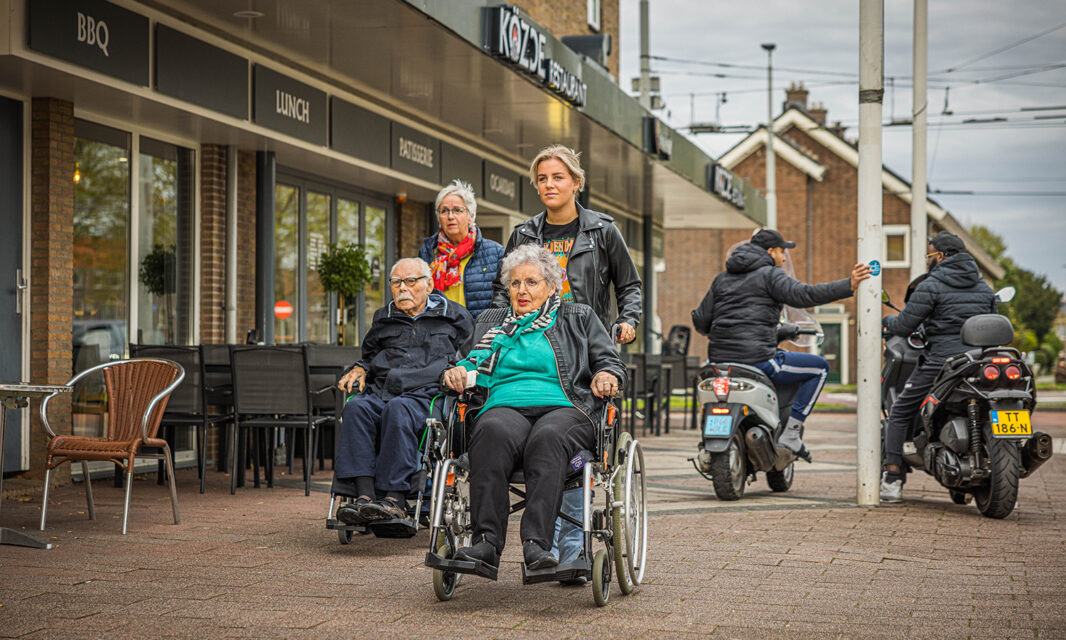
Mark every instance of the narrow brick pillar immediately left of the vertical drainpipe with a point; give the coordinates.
(213, 244)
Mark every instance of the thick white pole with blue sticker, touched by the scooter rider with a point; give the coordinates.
(868, 300)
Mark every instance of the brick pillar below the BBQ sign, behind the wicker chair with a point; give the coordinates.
(52, 266)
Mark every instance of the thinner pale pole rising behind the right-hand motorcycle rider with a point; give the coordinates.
(918, 220)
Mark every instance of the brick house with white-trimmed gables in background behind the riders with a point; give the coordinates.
(817, 180)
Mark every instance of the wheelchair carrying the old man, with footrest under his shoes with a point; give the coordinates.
(343, 492)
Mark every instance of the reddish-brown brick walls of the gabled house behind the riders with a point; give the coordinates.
(827, 253)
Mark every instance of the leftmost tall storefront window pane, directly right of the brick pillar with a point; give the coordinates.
(102, 197)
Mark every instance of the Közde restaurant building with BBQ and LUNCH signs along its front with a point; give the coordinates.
(232, 145)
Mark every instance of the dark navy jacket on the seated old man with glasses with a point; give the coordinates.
(403, 355)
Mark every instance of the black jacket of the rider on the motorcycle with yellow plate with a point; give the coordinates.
(944, 301)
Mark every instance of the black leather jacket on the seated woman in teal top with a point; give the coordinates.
(583, 349)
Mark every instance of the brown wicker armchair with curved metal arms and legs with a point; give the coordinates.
(138, 391)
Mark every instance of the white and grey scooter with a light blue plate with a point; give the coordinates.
(744, 414)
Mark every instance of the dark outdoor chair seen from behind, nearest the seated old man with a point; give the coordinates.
(271, 391)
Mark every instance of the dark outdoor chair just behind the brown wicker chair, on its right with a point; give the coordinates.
(188, 406)
